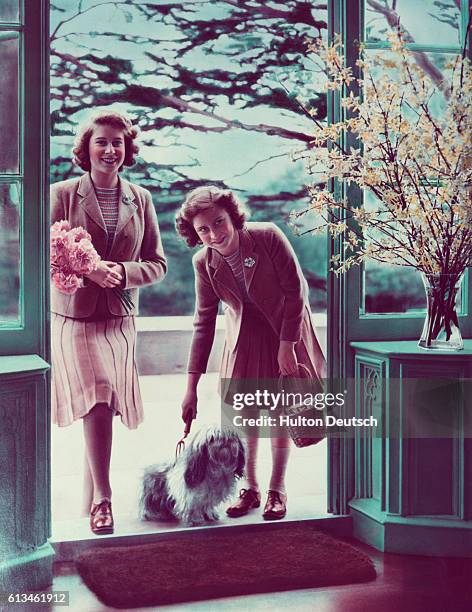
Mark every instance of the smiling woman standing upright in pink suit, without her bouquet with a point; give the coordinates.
(94, 375)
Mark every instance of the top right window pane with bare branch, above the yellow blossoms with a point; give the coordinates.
(427, 22)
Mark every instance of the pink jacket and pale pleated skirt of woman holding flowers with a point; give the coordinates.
(93, 337)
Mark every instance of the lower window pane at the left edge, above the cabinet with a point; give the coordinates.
(10, 250)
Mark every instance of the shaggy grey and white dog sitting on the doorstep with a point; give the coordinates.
(201, 477)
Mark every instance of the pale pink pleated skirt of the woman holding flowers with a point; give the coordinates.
(94, 362)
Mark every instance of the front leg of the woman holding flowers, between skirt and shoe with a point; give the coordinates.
(98, 427)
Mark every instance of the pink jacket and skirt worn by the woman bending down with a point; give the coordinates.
(272, 306)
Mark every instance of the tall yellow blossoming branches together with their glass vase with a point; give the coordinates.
(405, 136)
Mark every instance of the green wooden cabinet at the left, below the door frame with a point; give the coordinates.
(25, 554)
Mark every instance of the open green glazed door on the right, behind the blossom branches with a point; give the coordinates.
(360, 307)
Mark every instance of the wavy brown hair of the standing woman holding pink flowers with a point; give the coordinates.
(80, 152)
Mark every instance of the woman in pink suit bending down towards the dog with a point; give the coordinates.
(252, 268)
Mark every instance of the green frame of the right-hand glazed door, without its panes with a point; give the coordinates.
(345, 325)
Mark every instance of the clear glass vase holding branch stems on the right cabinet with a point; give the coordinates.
(441, 327)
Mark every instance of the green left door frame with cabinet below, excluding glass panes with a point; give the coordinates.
(25, 498)
